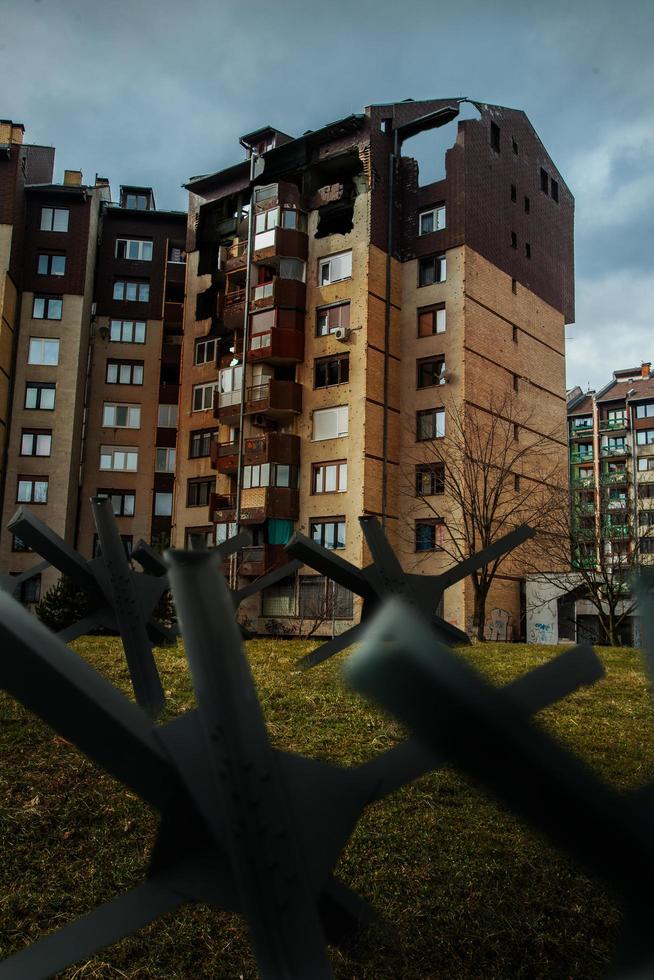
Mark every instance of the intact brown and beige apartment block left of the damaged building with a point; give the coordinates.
(95, 368)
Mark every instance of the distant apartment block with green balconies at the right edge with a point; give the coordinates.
(612, 467)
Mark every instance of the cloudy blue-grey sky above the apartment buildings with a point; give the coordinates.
(146, 92)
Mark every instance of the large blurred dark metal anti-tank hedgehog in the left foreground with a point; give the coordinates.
(244, 826)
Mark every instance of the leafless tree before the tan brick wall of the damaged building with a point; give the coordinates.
(490, 472)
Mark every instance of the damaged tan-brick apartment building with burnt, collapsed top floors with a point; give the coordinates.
(344, 289)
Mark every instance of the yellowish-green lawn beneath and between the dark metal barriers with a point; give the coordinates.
(464, 890)
